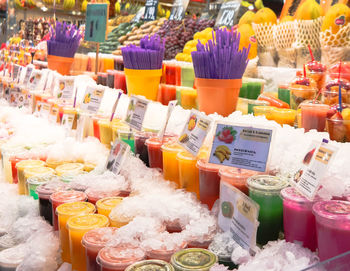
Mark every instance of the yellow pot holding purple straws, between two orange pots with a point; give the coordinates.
(143, 82)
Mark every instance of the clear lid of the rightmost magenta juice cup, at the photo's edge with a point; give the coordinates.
(332, 210)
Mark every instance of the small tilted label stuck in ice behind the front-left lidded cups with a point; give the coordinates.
(117, 156)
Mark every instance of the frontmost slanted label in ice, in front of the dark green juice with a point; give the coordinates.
(239, 215)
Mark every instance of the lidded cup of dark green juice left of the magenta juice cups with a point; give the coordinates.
(265, 190)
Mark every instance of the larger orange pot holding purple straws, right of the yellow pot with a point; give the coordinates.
(218, 95)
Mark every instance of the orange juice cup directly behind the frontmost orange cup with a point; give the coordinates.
(64, 212)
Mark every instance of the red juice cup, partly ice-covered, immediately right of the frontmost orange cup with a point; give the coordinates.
(93, 241)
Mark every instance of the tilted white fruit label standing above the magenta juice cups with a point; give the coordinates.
(315, 164)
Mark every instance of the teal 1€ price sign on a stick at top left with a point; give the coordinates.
(96, 22)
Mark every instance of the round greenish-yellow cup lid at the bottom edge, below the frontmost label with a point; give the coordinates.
(192, 259)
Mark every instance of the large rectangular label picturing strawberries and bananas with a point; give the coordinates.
(241, 146)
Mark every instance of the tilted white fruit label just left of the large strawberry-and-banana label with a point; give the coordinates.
(195, 132)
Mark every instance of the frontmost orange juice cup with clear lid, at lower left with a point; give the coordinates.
(77, 227)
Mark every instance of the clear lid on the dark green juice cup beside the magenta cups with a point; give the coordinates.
(266, 183)
